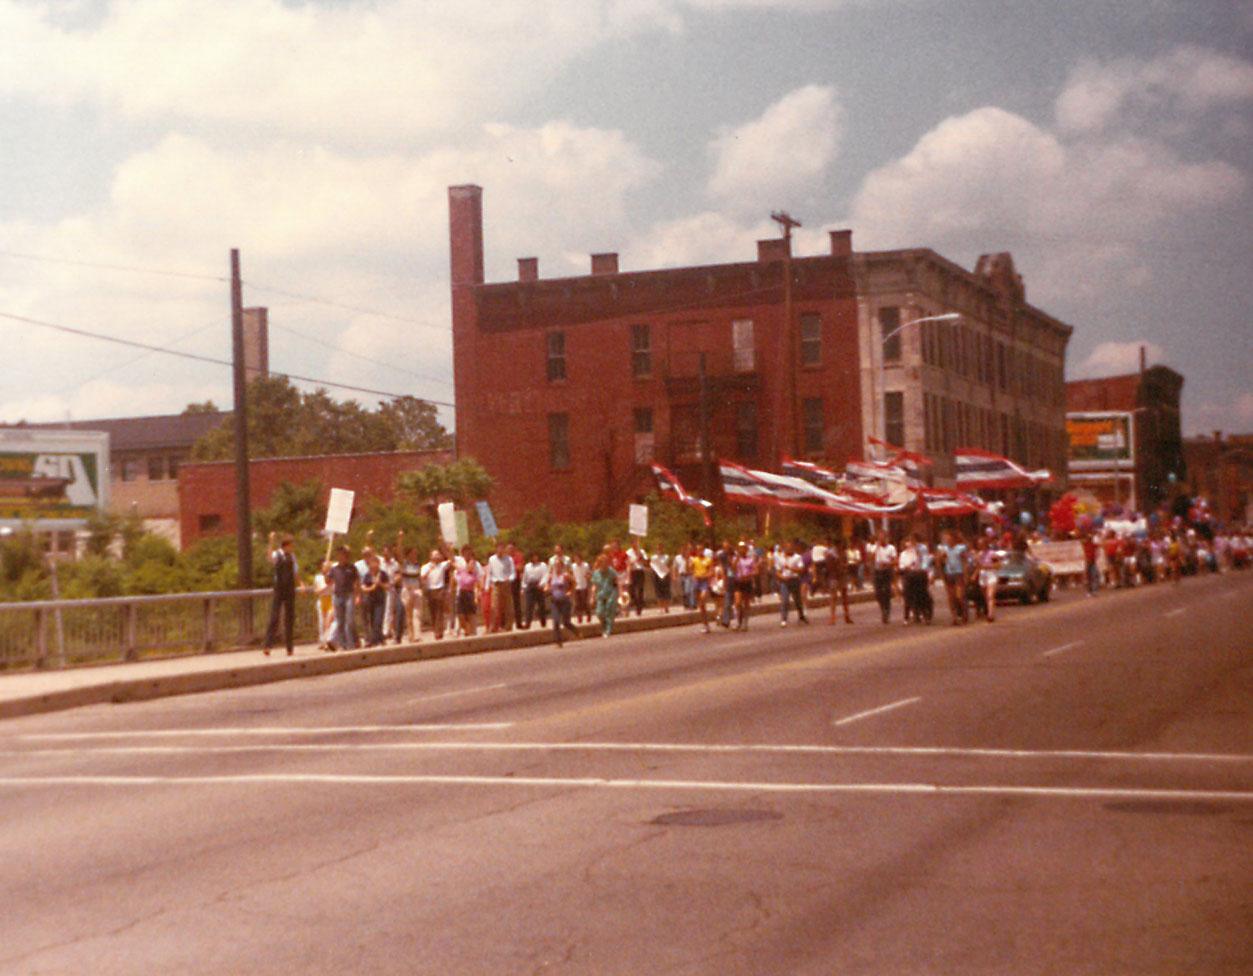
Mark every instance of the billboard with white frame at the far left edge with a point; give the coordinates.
(52, 480)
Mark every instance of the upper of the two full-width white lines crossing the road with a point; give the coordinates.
(657, 747)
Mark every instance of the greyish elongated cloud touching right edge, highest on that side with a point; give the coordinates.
(1186, 81)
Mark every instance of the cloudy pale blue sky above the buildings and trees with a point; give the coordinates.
(1107, 145)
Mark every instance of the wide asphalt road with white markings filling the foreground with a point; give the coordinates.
(1066, 791)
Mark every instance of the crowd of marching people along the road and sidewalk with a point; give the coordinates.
(393, 593)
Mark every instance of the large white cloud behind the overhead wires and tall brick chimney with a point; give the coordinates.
(364, 231)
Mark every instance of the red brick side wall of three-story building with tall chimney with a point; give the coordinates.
(567, 388)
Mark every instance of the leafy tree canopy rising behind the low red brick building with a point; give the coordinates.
(288, 423)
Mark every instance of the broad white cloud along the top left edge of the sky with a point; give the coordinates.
(364, 73)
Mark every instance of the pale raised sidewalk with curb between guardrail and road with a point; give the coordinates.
(34, 692)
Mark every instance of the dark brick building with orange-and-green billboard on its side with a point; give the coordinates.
(1153, 452)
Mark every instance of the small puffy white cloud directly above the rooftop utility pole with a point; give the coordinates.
(784, 151)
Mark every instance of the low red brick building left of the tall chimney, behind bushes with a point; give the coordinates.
(206, 489)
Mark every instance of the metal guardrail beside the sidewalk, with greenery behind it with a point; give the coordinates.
(60, 633)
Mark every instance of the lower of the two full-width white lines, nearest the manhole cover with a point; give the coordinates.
(933, 790)
